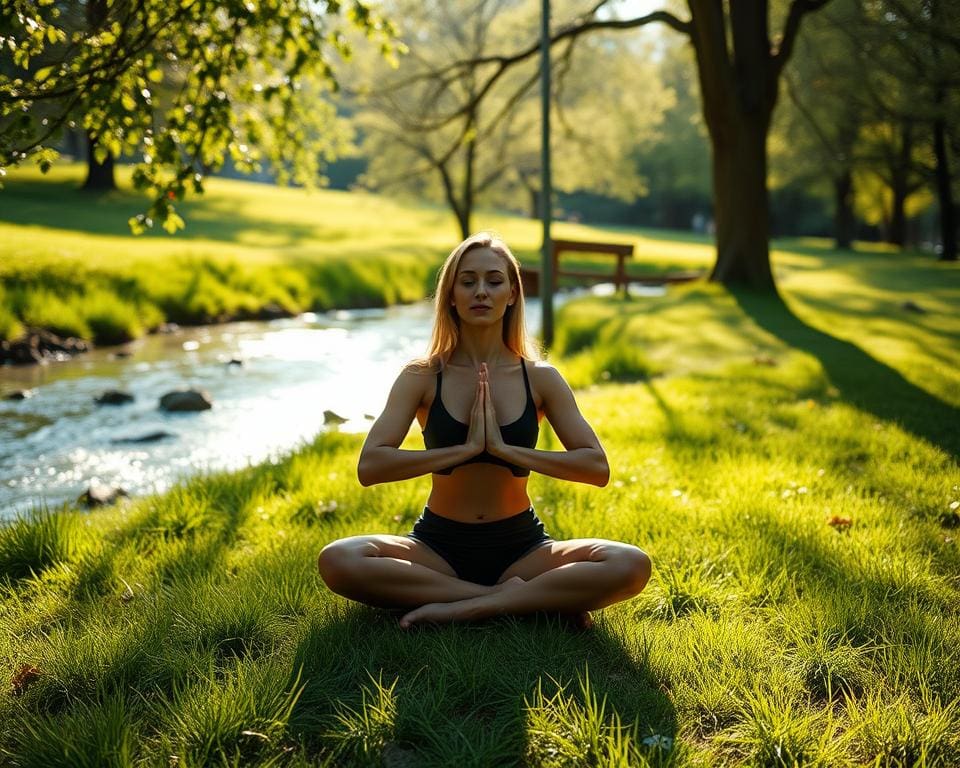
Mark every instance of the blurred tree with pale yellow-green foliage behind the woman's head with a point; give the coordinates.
(440, 133)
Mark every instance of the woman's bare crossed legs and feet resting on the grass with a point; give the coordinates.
(570, 577)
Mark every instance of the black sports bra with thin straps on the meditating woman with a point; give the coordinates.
(441, 430)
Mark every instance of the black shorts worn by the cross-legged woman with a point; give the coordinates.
(480, 552)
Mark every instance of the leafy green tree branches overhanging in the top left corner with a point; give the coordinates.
(242, 80)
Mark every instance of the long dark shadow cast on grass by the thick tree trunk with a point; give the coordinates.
(862, 380)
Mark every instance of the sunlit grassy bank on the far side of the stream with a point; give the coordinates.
(68, 262)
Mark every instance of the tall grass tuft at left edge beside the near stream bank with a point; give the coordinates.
(35, 541)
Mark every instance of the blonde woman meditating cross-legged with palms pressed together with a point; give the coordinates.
(478, 549)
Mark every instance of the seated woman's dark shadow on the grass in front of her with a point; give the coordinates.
(461, 694)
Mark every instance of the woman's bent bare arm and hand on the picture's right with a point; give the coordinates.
(582, 461)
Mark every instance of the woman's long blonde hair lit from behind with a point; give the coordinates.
(446, 322)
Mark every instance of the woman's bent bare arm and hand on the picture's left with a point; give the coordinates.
(381, 458)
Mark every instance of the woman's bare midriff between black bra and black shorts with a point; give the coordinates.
(478, 493)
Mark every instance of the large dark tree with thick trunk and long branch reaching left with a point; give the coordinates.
(739, 68)
